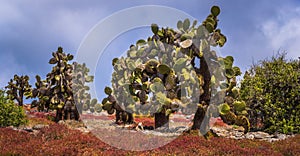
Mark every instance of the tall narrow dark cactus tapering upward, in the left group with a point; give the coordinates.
(60, 84)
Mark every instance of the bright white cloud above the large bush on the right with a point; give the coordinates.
(282, 33)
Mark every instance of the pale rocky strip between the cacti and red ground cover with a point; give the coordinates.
(178, 124)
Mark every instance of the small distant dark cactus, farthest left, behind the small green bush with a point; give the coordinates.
(18, 87)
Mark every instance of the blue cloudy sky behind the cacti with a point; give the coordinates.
(31, 30)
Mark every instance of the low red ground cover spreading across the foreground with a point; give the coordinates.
(59, 140)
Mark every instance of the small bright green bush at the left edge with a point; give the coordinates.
(10, 113)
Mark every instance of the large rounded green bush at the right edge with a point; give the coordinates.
(272, 91)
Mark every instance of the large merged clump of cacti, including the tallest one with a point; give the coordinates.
(161, 75)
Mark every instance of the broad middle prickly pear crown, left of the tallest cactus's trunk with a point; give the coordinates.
(156, 77)
